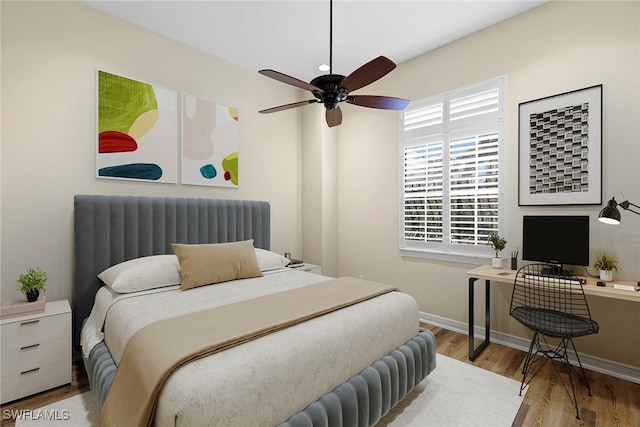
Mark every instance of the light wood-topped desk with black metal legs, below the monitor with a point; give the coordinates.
(504, 275)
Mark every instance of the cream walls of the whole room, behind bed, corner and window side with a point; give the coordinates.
(334, 197)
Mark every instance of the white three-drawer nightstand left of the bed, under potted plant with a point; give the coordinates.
(36, 351)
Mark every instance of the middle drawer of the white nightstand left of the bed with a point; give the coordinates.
(35, 356)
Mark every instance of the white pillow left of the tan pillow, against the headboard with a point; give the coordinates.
(144, 273)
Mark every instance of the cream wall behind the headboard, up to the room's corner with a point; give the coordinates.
(50, 53)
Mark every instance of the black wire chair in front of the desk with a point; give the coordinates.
(552, 304)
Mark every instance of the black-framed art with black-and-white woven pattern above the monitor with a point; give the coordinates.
(560, 149)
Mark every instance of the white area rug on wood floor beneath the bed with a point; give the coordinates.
(455, 394)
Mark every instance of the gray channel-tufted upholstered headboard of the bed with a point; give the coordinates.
(112, 229)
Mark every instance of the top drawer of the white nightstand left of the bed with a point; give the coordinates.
(23, 333)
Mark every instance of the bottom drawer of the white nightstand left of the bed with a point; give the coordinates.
(39, 379)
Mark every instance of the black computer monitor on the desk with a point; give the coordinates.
(556, 240)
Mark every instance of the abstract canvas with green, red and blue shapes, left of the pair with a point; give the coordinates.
(137, 130)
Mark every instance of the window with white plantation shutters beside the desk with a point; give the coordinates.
(451, 150)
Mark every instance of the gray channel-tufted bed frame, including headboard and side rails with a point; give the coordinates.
(112, 229)
